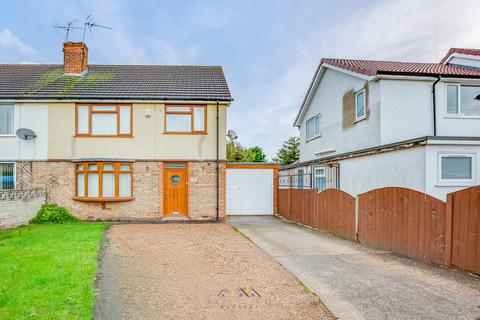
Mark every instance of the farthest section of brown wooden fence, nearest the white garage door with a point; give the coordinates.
(331, 210)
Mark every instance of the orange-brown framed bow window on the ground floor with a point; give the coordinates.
(98, 169)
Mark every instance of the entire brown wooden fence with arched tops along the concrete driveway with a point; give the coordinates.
(404, 221)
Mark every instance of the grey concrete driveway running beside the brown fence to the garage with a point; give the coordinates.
(356, 282)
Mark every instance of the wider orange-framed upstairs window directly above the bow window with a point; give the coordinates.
(96, 108)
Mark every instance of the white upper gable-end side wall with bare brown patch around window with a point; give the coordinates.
(328, 102)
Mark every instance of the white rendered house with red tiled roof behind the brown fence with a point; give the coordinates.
(370, 124)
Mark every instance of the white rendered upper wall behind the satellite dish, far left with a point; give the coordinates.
(32, 116)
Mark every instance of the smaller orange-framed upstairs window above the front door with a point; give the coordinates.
(186, 119)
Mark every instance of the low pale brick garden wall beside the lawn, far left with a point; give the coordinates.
(17, 207)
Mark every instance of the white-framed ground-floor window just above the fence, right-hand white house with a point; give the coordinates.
(456, 169)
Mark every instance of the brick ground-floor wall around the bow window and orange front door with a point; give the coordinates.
(58, 179)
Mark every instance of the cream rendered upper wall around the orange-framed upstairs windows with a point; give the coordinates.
(148, 141)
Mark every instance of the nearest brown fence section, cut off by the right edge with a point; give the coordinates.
(463, 229)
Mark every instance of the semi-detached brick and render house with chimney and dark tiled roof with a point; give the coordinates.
(117, 141)
